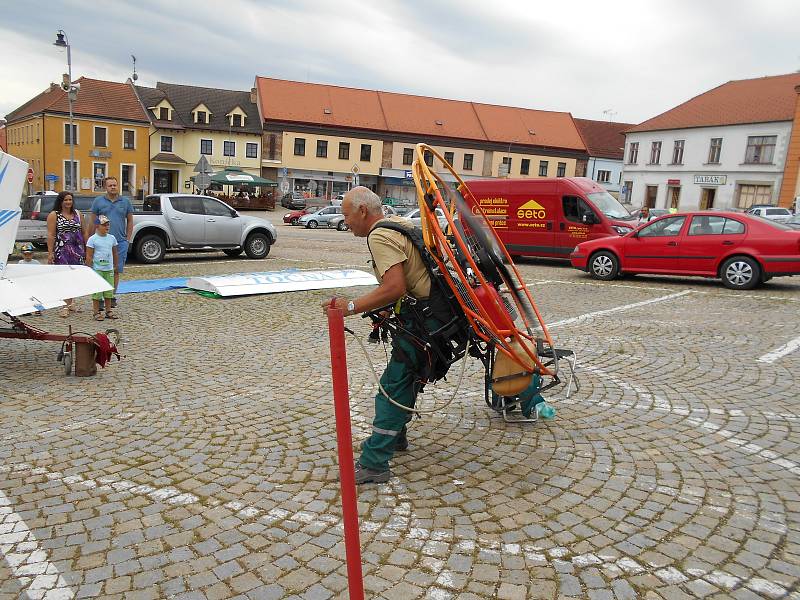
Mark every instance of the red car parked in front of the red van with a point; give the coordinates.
(740, 249)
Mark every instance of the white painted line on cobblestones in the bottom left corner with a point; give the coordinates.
(33, 563)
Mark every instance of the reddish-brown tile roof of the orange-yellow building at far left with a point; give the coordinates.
(96, 98)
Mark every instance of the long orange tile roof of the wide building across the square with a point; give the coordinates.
(291, 101)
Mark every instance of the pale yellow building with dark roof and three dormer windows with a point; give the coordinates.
(187, 122)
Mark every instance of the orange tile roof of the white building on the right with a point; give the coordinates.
(761, 100)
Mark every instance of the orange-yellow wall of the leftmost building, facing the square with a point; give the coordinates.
(56, 151)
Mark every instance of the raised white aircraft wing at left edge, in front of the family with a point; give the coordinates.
(26, 288)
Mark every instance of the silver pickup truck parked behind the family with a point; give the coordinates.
(190, 221)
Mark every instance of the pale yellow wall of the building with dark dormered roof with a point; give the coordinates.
(186, 144)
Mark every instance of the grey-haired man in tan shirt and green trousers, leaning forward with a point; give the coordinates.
(401, 272)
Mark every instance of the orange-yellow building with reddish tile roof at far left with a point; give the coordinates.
(109, 131)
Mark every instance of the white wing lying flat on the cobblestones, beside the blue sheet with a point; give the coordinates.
(292, 280)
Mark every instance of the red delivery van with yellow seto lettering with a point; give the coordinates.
(549, 216)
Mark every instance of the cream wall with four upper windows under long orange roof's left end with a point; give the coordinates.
(332, 162)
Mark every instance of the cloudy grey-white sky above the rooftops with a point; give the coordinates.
(635, 59)
